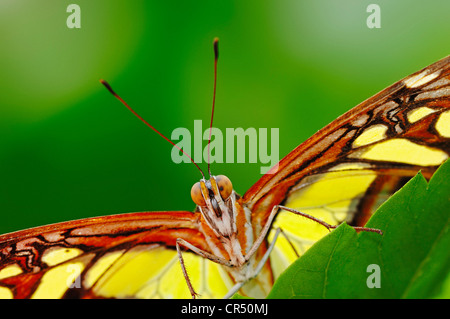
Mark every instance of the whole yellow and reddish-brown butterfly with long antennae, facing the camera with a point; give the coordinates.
(232, 243)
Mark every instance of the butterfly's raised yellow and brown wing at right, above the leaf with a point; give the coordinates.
(344, 171)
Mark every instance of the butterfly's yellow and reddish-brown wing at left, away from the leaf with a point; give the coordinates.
(118, 256)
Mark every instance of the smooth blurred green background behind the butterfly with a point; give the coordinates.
(69, 150)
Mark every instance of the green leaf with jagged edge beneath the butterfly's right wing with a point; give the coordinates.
(411, 259)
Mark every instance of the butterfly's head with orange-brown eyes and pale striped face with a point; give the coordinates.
(215, 199)
